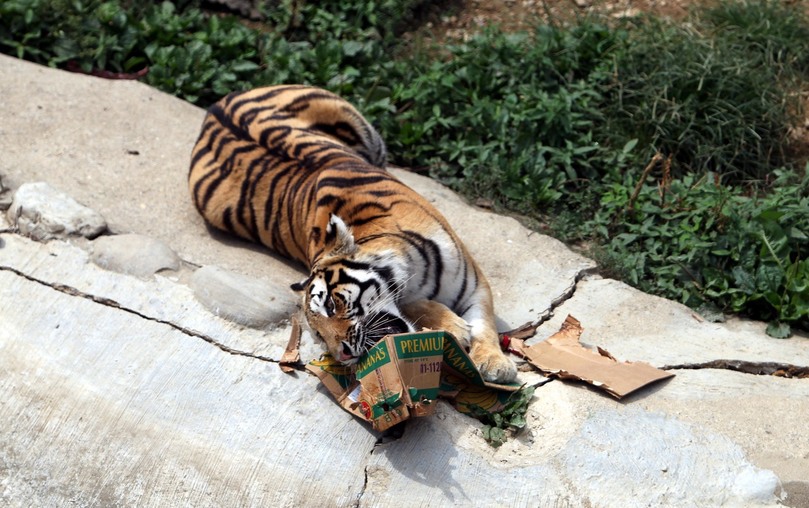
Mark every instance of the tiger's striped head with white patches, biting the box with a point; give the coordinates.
(350, 297)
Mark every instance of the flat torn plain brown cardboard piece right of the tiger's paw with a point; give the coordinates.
(563, 356)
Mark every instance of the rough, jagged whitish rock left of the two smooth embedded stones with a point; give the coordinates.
(43, 213)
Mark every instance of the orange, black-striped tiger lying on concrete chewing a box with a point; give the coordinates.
(298, 169)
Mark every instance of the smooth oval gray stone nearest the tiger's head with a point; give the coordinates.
(245, 300)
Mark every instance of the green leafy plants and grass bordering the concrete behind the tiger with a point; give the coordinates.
(664, 146)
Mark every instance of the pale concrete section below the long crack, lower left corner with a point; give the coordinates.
(102, 407)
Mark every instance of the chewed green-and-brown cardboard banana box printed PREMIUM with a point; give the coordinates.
(403, 375)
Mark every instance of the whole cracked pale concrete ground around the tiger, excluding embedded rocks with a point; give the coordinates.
(120, 390)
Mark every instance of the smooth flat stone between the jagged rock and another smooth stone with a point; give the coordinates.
(138, 255)
